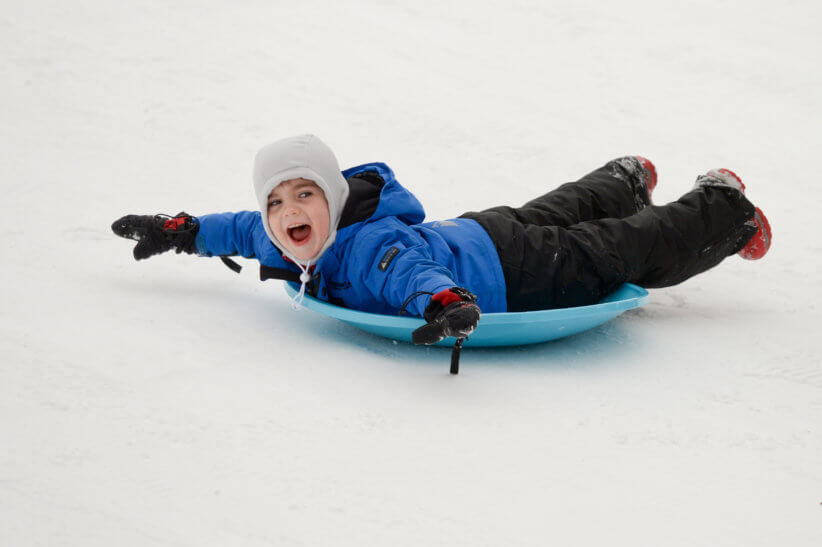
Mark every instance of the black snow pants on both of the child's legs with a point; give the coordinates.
(575, 244)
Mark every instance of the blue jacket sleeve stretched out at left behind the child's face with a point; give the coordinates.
(228, 234)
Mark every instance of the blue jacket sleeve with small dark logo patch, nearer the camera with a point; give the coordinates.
(392, 261)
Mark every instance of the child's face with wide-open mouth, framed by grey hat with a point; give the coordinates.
(298, 217)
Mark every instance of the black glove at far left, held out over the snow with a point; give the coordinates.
(158, 233)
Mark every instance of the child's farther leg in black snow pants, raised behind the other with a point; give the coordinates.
(616, 190)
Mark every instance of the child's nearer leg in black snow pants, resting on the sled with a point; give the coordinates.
(554, 267)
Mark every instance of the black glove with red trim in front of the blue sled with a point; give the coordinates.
(452, 312)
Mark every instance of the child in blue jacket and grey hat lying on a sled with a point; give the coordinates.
(356, 238)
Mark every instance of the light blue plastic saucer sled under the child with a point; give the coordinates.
(496, 329)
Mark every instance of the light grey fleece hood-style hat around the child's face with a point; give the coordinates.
(307, 157)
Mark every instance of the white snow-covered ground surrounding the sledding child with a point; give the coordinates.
(171, 402)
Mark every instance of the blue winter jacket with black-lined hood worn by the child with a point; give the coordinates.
(382, 255)
